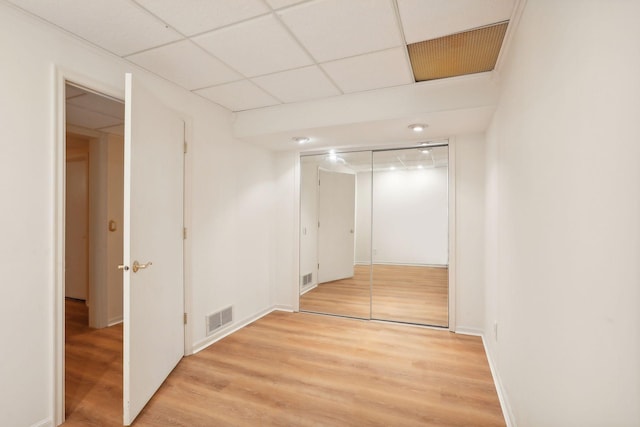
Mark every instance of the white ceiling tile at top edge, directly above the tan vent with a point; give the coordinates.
(429, 19)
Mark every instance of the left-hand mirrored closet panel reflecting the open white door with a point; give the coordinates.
(334, 255)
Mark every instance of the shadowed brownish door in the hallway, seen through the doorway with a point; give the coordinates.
(76, 277)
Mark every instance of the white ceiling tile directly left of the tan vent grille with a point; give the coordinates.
(372, 71)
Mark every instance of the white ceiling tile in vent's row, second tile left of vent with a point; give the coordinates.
(298, 85)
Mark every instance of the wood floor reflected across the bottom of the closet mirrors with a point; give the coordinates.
(413, 294)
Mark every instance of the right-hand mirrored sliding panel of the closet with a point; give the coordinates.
(410, 232)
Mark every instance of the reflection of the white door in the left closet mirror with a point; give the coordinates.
(336, 218)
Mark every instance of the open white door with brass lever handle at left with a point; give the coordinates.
(153, 230)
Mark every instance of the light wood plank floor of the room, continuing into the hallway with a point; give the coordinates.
(297, 369)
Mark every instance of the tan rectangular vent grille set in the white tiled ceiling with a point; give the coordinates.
(469, 52)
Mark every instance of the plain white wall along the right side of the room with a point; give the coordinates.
(563, 217)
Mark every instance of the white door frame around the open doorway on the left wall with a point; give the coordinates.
(59, 79)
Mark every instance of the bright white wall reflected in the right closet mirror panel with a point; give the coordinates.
(410, 216)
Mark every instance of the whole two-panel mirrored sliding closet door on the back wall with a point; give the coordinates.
(374, 234)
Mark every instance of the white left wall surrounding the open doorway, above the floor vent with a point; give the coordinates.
(232, 222)
